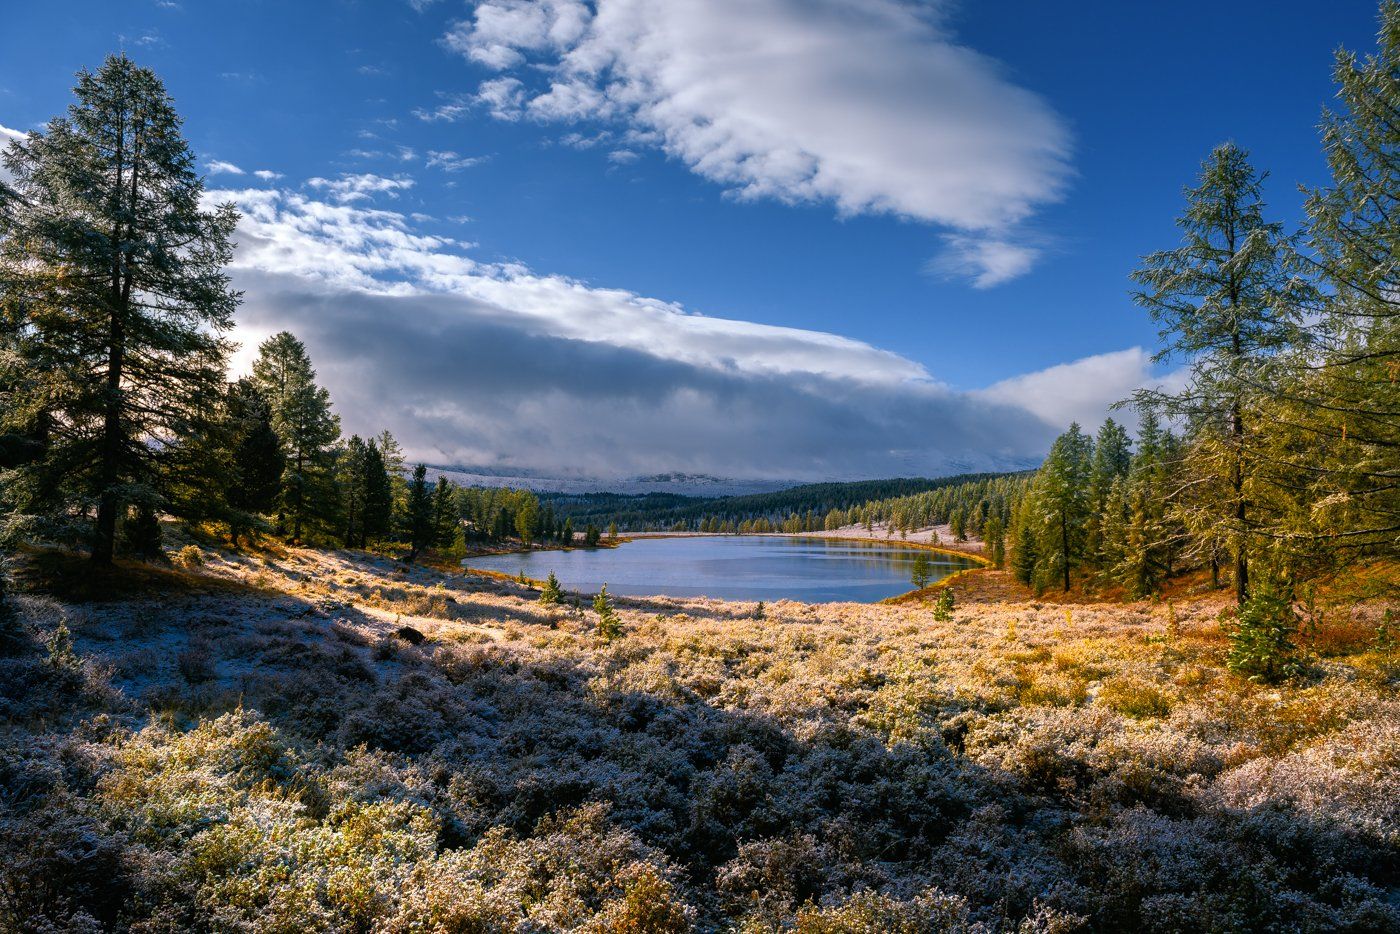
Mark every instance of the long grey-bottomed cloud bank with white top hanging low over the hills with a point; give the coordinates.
(496, 365)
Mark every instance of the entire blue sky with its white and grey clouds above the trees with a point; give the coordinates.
(751, 239)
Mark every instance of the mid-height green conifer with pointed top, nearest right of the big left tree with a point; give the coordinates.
(307, 428)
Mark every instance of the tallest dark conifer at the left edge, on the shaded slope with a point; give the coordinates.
(114, 274)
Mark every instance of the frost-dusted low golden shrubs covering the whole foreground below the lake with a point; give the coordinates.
(257, 750)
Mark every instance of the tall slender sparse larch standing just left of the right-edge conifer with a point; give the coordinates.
(1230, 302)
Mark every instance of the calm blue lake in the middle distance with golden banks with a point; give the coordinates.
(734, 568)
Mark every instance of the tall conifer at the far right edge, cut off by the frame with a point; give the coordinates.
(1345, 454)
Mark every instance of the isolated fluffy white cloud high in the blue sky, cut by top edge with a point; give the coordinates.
(870, 106)
